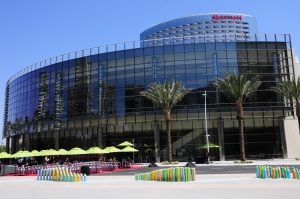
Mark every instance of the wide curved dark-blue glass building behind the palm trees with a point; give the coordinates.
(91, 97)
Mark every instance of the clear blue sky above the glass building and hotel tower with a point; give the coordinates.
(34, 30)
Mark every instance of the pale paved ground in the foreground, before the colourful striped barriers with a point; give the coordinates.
(112, 187)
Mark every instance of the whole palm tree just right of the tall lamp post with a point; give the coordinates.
(238, 87)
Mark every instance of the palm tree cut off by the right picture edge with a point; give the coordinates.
(290, 90)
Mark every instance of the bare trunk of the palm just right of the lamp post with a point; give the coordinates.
(240, 118)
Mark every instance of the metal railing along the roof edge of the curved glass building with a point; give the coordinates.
(153, 43)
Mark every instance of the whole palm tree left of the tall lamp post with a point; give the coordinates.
(166, 95)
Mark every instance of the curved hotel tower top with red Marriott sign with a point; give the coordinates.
(215, 24)
